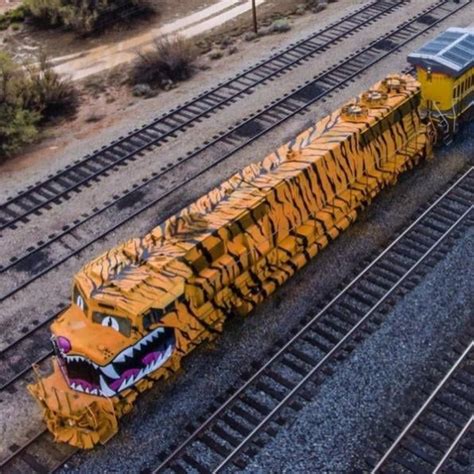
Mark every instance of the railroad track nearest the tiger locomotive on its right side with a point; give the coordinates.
(236, 430)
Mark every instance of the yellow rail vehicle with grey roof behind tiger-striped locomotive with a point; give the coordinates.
(445, 69)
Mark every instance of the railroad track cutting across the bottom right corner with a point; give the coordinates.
(438, 436)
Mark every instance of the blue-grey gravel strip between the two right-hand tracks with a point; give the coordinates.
(334, 431)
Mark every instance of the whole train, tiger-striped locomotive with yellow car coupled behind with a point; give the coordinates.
(139, 308)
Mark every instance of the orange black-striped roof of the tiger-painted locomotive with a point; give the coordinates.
(133, 275)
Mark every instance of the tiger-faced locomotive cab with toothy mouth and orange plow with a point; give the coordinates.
(109, 348)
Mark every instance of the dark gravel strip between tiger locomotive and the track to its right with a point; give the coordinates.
(162, 413)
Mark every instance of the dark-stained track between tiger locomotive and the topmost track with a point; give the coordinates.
(57, 248)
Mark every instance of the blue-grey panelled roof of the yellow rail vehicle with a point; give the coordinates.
(451, 52)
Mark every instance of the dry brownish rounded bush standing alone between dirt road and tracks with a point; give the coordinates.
(170, 59)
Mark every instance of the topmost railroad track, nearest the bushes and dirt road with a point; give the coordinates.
(39, 198)
